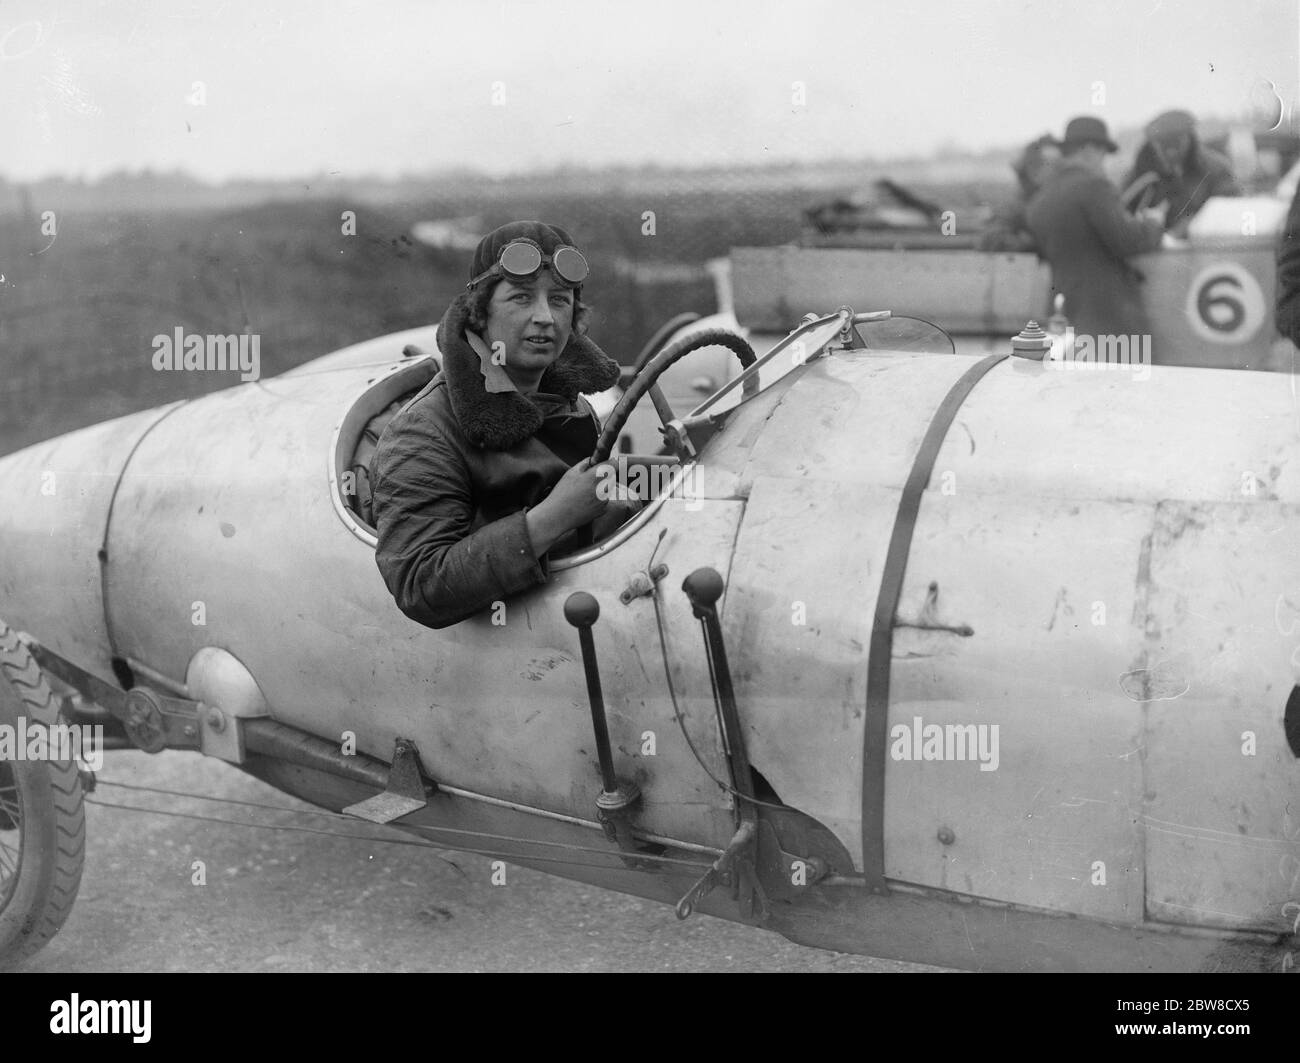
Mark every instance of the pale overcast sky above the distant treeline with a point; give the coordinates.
(278, 89)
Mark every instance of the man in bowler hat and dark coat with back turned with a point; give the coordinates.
(1087, 237)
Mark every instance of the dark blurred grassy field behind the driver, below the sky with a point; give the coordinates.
(79, 313)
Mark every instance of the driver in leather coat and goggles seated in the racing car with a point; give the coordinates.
(488, 468)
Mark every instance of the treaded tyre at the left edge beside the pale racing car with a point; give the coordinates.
(42, 817)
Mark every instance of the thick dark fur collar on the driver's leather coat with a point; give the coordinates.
(502, 422)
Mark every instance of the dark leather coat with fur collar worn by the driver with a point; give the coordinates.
(460, 466)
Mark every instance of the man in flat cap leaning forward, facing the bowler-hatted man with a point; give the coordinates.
(1176, 170)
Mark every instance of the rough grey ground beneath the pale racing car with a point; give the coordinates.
(289, 901)
